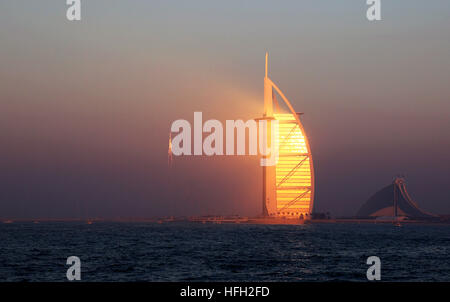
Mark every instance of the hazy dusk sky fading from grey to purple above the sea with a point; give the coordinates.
(86, 106)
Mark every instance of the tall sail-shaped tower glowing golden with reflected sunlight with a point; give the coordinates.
(288, 187)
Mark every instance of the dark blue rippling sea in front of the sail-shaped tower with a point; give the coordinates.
(188, 251)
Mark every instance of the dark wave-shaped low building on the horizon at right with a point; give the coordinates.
(392, 201)
